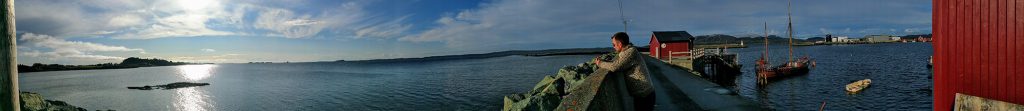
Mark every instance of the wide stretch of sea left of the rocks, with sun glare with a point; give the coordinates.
(460, 85)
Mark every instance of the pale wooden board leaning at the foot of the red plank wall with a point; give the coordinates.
(972, 103)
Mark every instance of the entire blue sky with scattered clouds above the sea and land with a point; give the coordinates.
(83, 32)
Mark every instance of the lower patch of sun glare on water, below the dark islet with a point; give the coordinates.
(190, 99)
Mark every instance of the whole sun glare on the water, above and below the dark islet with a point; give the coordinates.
(193, 99)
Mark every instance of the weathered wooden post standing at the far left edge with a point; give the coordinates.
(9, 59)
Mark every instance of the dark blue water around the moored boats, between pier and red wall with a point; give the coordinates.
(901, 80)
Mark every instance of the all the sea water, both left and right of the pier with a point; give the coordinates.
(901, 83)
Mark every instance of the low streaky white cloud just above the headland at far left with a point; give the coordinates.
(61, 49)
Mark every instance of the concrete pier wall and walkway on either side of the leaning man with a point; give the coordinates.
(675, 90)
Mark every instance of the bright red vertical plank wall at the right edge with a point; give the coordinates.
(979, 51)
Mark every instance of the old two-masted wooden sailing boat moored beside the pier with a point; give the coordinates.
(791, 68)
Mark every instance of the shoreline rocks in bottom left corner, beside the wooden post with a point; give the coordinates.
(35, 102)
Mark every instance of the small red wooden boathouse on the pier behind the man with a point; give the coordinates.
(664, 43)
